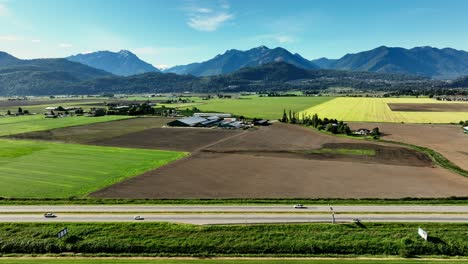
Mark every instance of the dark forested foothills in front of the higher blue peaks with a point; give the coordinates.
(275, 76)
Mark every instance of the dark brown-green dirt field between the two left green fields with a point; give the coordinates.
(143, 132)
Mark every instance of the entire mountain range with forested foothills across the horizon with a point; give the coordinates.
(257, 69)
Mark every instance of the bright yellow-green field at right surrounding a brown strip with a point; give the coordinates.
(376, 110)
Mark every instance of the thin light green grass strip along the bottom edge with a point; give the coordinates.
(221, 261)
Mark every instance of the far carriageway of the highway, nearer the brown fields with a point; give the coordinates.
(234, 208)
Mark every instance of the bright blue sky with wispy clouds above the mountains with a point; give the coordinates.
(173, 32)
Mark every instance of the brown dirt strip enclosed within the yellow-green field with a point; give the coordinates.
(461, 107)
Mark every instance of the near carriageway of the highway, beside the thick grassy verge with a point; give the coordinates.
(235, 218)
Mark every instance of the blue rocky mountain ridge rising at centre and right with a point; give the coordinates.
(430, 62)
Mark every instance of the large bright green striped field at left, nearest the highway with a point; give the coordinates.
(41, 169)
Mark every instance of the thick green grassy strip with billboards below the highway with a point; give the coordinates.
(281, 240)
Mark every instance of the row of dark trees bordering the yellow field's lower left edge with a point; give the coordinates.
(330, 125)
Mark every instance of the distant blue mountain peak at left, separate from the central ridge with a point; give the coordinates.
(123, 63)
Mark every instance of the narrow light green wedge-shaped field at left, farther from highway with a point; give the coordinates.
(23, 124)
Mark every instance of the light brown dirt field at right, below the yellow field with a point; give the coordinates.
(448, 140)
